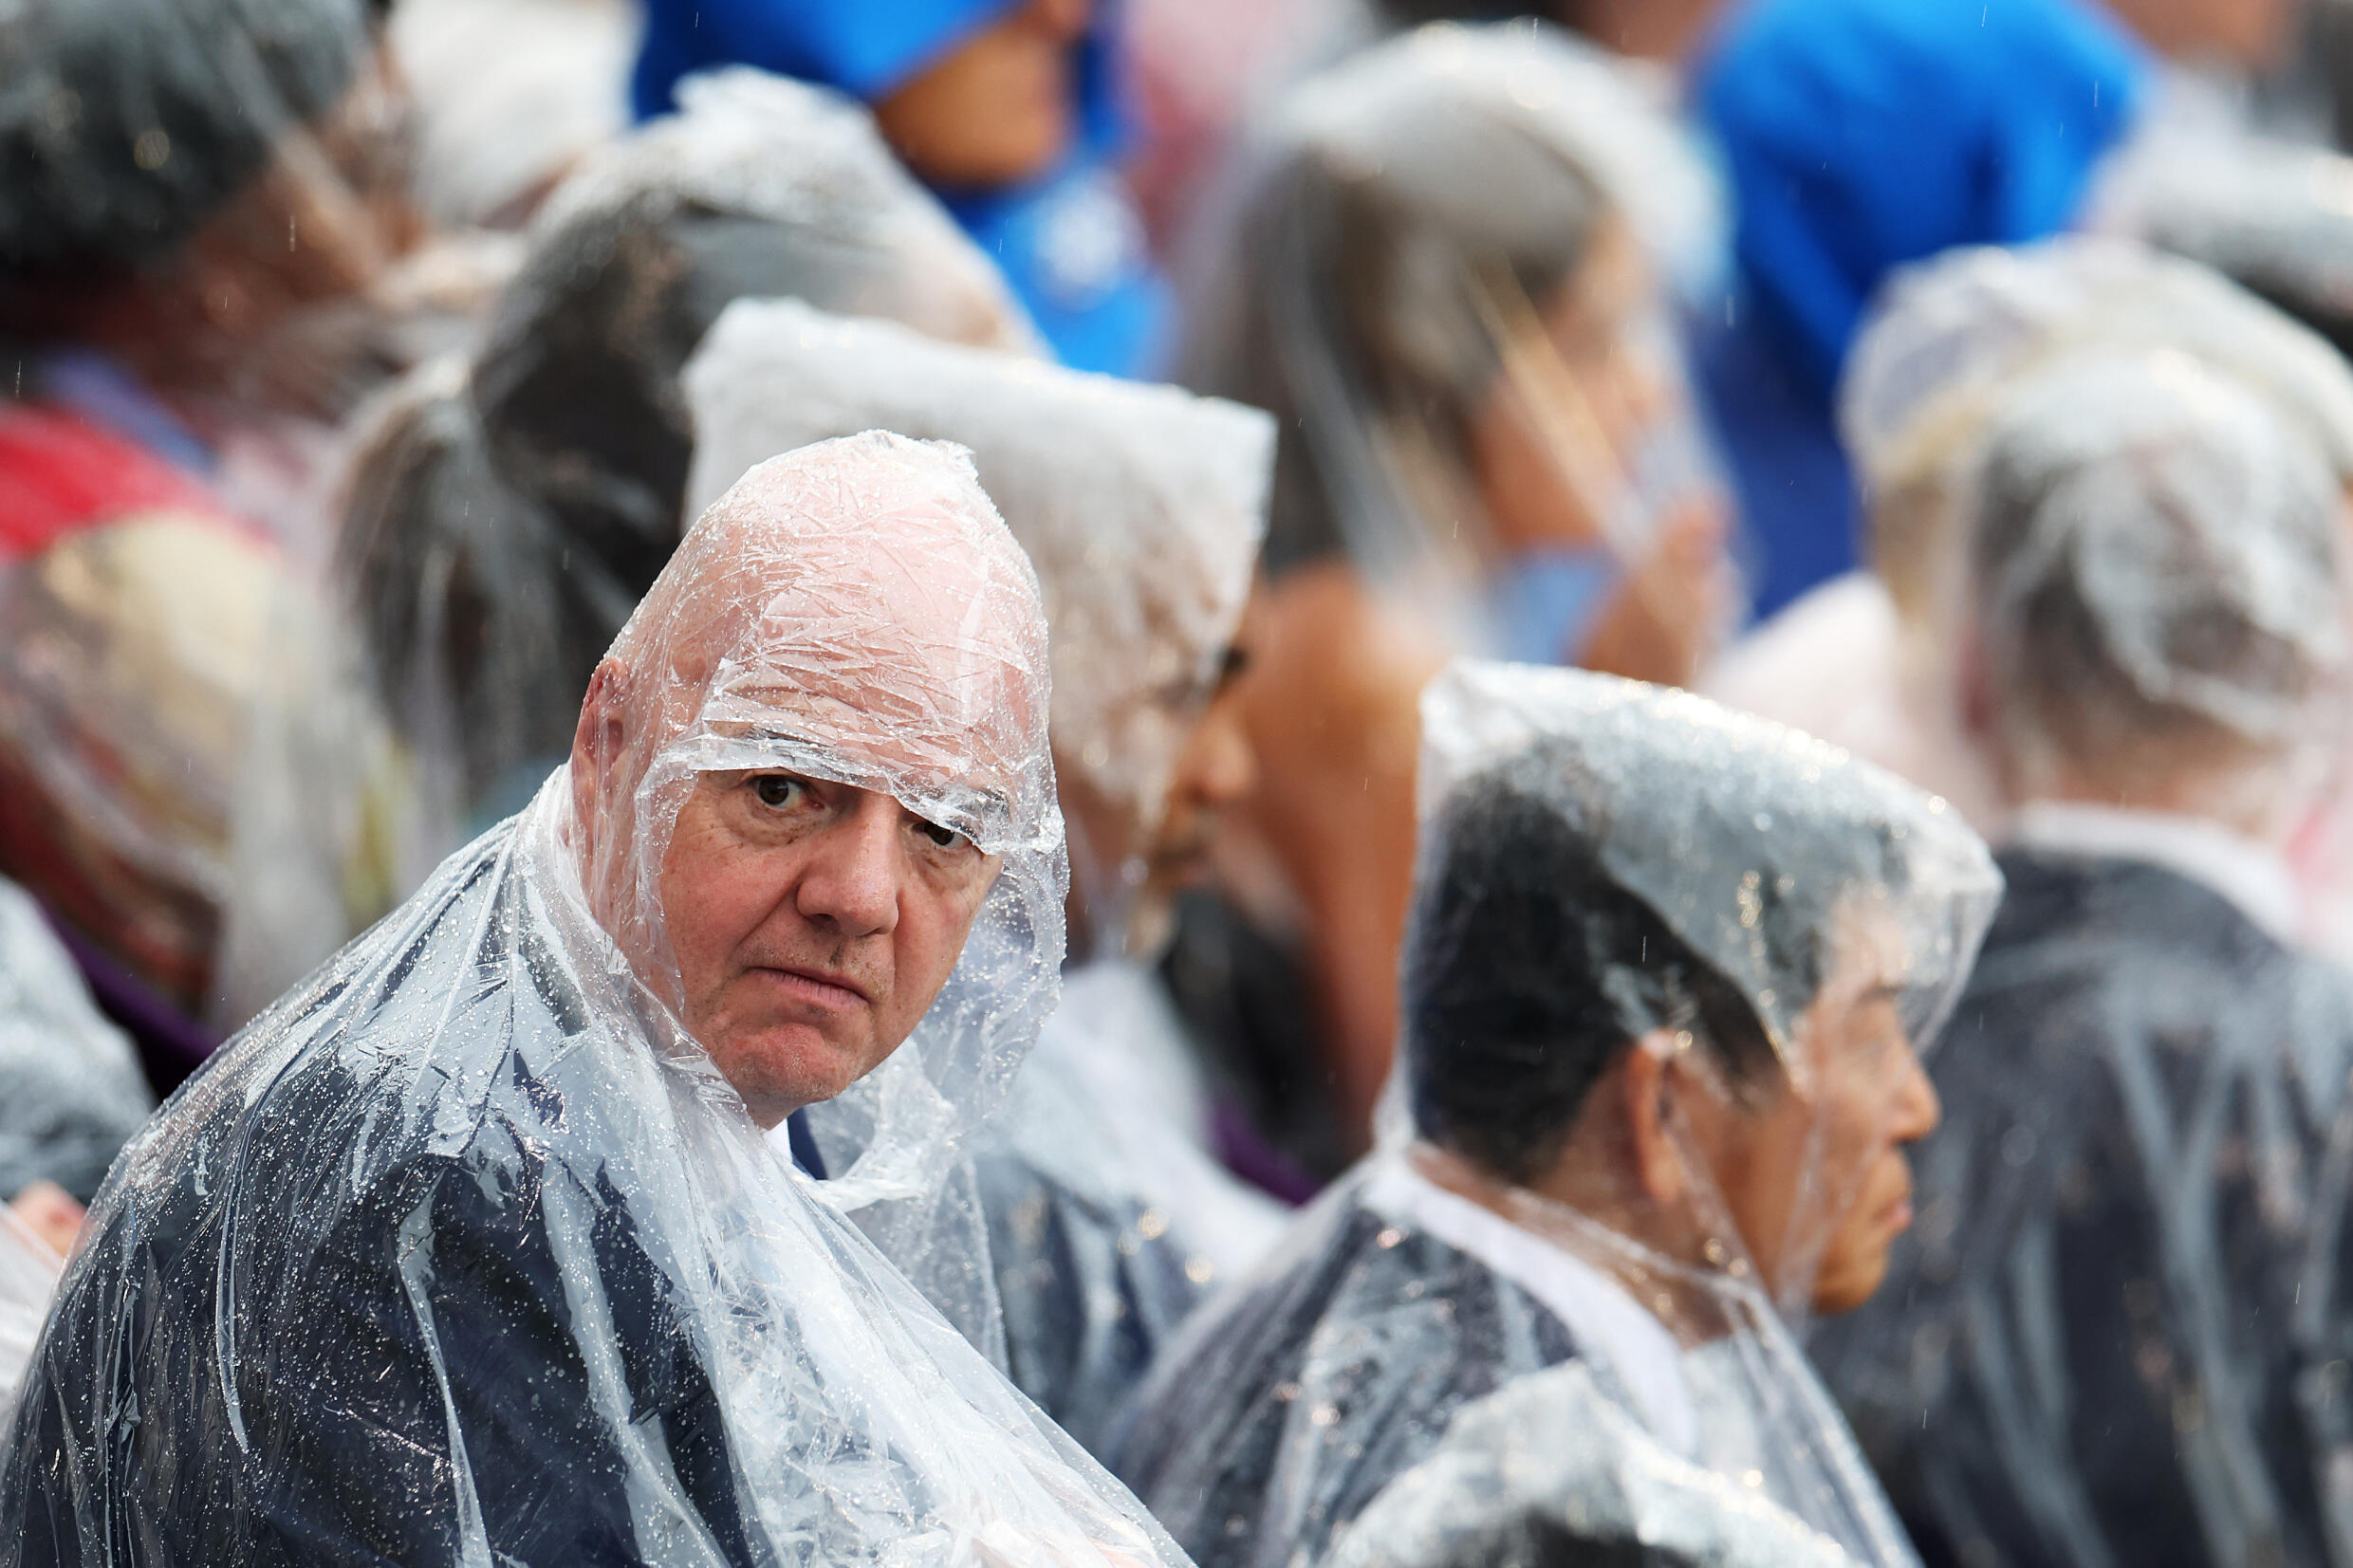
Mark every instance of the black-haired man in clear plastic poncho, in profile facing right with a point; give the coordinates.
(1665, 989)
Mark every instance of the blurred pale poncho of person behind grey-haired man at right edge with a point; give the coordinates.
(1872, 662)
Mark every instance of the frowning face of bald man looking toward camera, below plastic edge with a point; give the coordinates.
(813, 927)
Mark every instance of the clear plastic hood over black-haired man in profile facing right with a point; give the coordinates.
(1742, 836)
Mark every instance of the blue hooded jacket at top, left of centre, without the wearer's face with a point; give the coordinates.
(1069, 241)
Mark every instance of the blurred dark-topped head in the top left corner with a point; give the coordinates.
(258, 145)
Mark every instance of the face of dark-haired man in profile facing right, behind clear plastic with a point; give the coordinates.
(1818, 1177)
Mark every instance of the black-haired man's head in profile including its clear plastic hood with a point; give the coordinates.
(1677, 967)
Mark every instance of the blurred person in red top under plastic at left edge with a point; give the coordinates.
(201, 269)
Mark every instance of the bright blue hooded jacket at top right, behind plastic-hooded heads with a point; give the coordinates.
(1860, 138)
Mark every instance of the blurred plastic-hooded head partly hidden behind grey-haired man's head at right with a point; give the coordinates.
(1954, 337)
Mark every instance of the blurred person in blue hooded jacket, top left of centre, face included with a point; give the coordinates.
(1008, 109)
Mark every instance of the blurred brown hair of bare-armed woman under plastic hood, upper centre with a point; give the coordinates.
(1371, 241)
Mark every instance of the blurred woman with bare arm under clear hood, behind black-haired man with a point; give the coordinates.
(1444, 274)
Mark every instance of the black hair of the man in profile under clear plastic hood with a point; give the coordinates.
(1528, 970)
